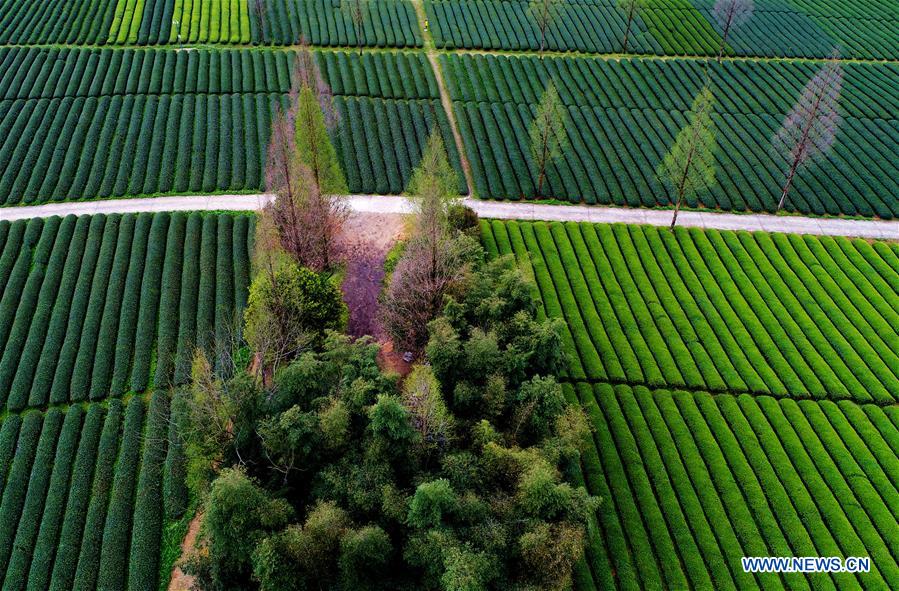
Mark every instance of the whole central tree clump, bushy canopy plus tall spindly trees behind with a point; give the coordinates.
(318, 470)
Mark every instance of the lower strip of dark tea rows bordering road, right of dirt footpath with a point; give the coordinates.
(613, 155)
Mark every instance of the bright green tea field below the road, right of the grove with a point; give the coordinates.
(804, 462)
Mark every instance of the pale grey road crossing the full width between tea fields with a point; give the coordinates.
(503, 210)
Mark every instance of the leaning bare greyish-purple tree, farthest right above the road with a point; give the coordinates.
(810, 128)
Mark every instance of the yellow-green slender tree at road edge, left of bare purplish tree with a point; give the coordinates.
(690, 164)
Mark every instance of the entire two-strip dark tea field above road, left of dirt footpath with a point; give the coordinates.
(89, 123)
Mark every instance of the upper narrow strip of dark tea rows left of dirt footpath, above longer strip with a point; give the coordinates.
(58, 73)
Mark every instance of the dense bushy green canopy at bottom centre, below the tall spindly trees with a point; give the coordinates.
(452, 479)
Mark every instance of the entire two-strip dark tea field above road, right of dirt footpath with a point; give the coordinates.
(623, 116)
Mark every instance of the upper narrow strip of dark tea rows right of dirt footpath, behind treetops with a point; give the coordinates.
(741, 86)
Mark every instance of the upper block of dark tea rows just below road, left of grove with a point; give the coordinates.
(94, 326)
